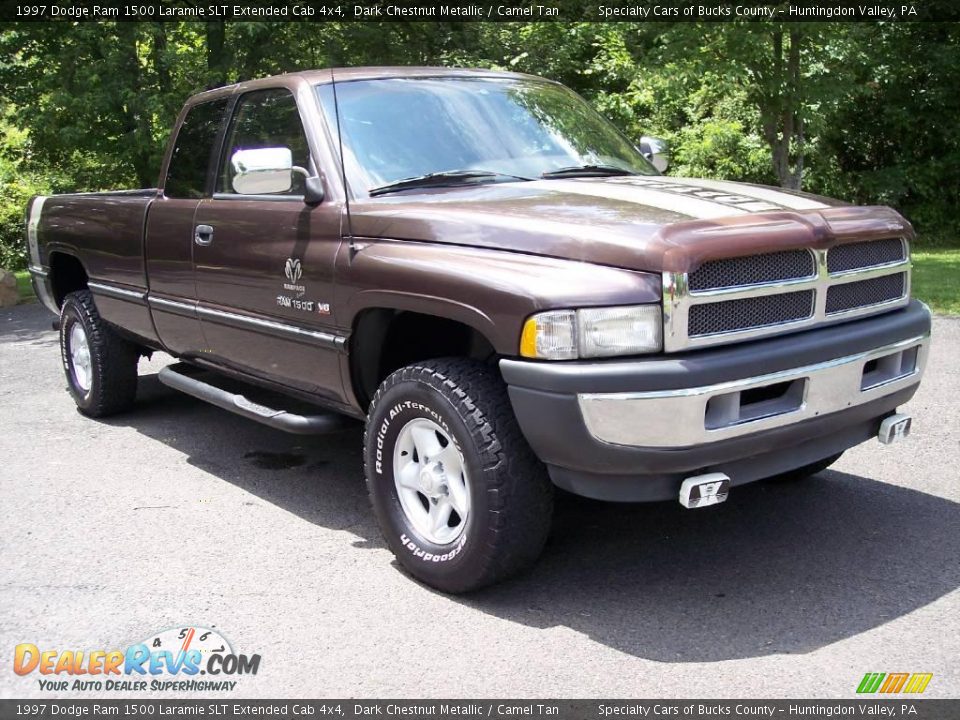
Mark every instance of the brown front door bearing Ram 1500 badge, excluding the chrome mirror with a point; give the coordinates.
(264, 271)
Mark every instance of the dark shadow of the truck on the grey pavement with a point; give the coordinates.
(780, 568)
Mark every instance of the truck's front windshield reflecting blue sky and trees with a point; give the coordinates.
(396, 129)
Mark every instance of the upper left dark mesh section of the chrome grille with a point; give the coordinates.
(753, 270)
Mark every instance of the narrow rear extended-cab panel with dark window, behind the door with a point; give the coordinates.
(169, 235)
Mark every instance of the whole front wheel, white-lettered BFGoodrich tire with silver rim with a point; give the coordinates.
(461, 499)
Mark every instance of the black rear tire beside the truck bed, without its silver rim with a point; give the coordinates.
(113, 360)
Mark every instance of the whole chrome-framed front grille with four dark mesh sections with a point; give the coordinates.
(734, 299)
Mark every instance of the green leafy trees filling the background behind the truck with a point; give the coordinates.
(864, 111)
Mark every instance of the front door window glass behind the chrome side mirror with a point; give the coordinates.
(264, 119)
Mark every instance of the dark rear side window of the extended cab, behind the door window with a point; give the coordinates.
(193, 151)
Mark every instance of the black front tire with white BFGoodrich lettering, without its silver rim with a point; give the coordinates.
(511, 495)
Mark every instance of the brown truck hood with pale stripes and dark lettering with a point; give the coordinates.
(642, 223)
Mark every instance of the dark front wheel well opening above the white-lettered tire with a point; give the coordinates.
(385, 340)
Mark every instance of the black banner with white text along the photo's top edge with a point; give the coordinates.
(479, 10)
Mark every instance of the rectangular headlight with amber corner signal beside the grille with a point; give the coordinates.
(592, 332)
